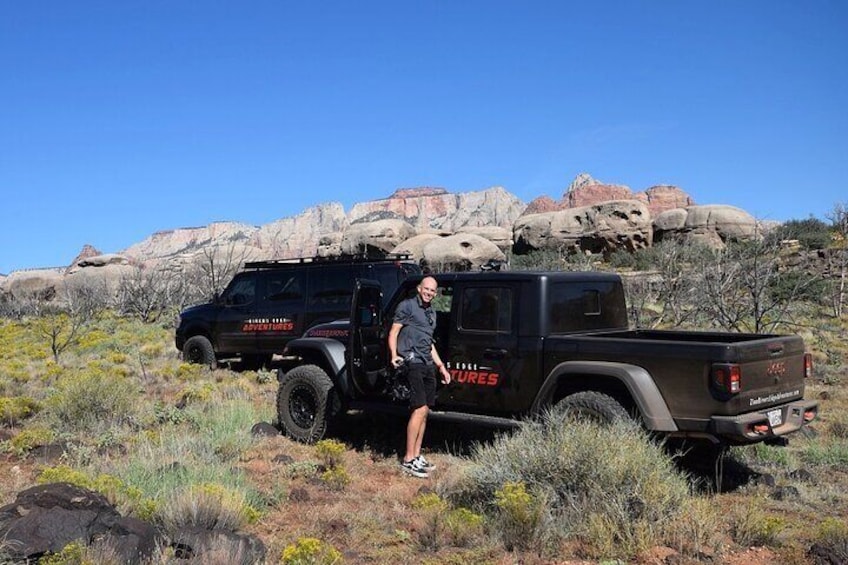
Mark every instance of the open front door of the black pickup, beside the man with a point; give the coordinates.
(367, 350)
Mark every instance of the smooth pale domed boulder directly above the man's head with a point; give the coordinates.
(460, 252)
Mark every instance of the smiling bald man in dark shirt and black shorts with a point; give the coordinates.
(411, 343)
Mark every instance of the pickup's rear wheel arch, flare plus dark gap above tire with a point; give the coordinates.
(630, 385)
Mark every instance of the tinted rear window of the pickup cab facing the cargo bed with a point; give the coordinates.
(576, 307)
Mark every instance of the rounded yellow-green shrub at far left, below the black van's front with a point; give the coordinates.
(88, 400)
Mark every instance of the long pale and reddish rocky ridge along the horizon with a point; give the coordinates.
(443, 229)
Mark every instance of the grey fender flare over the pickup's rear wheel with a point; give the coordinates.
(637, 380)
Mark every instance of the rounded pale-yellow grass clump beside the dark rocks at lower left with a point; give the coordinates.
(207, 505)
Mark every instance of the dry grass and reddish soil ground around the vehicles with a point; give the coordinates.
(188, 430)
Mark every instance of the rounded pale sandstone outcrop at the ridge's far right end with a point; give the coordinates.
(712, 225)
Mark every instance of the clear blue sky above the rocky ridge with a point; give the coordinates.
(122, 118)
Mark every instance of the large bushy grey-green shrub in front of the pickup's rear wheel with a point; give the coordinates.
(612, 480)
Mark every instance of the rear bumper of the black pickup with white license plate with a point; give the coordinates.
(759, 426)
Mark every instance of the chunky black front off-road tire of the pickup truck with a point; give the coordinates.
(304, 403)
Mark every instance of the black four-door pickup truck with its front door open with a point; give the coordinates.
(519, 342)
